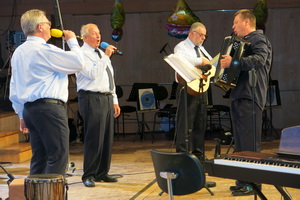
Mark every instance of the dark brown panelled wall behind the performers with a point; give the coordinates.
(145, 34)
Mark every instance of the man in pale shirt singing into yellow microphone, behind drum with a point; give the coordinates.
(39, 91)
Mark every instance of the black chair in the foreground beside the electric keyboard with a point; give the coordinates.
(178, 173)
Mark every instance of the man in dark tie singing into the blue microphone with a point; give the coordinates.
(98, 105)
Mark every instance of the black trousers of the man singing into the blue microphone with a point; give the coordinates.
(97, 112)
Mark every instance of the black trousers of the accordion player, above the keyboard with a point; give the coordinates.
(243, 126)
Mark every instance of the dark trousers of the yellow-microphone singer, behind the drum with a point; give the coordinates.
(49, 137)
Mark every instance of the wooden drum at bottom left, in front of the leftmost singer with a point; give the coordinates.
(45, 187)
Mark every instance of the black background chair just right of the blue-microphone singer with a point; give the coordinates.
(125, 111)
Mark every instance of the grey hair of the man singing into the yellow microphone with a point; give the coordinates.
(30, 19)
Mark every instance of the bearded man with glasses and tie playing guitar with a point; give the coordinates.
(191, 49)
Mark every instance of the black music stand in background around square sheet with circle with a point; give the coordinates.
(134, 97)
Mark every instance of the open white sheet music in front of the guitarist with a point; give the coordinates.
(183, 67)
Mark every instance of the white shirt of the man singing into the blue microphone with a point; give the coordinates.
(94, 76)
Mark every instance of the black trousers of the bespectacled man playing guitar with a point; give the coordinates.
(196, 118)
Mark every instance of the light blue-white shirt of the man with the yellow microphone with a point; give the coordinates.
(40, 70)
